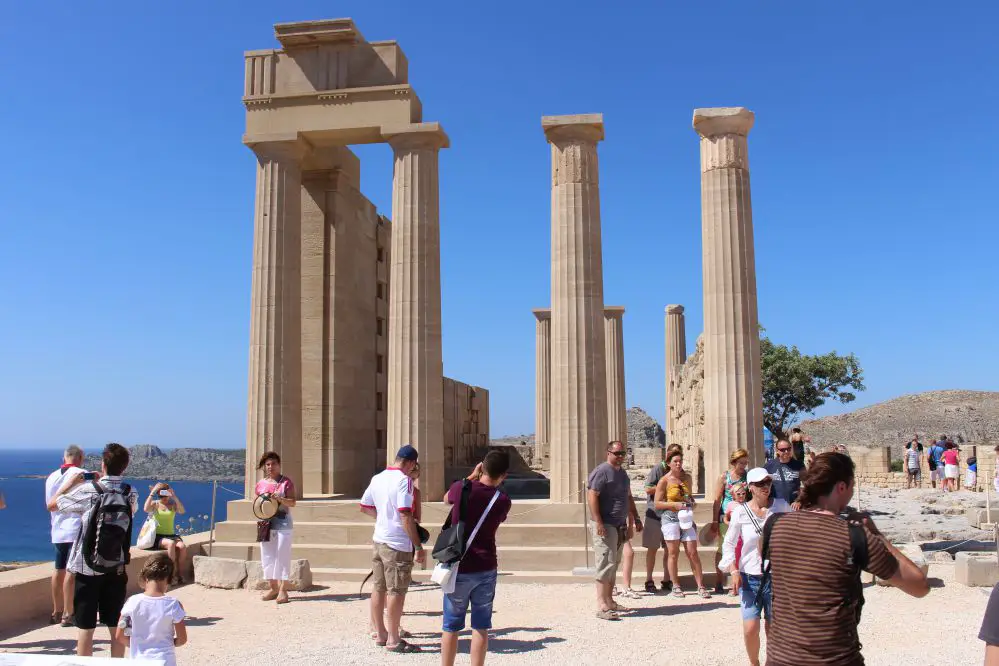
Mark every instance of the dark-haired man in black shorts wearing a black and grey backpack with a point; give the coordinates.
(101, 550)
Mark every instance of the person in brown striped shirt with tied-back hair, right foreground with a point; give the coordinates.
(815, 558)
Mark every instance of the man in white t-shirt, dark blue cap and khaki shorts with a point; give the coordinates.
(389, 500)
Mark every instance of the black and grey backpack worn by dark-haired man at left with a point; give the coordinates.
(107, 536)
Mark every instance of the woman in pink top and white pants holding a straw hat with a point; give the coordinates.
(275, 554)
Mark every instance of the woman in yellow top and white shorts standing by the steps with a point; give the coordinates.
(676, 506)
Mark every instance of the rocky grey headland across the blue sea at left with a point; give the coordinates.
(151, 462)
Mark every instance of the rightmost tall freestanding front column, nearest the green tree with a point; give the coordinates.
(733, 401)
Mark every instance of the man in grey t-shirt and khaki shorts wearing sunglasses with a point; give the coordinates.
(611, 506)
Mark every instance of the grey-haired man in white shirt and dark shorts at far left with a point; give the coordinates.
(65, 527)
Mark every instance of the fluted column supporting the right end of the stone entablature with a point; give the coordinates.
(415, 367)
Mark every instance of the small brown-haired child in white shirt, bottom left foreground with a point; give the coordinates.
(152, 624)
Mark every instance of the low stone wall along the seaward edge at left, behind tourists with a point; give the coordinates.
(25, 593)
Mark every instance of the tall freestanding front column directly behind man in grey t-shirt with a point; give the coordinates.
(578, 380)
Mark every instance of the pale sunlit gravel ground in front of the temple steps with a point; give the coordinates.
(537, 624)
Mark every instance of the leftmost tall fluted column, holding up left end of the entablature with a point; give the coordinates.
(274, 410)
